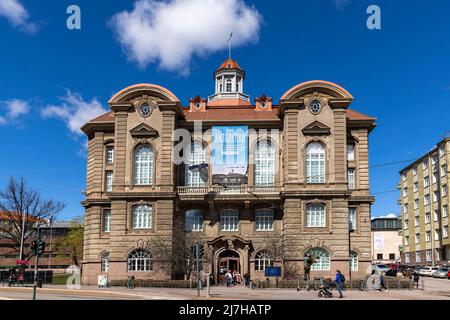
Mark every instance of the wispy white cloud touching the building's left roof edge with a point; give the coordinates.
(74, 111)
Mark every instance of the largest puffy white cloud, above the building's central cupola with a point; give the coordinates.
(170, 33)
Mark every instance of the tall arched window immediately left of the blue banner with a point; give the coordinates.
(194, 169)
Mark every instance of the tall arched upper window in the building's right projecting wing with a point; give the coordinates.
(315, 163)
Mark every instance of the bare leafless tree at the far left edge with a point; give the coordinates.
(22, 211)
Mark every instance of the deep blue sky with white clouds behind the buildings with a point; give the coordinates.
(51, 78)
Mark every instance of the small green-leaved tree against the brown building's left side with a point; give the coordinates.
(72, 243)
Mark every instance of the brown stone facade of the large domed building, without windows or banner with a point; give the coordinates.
(124, 128)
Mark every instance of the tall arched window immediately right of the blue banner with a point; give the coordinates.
(264, 171)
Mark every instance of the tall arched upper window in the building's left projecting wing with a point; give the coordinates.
(143, 165)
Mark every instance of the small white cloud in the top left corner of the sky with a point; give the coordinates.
(17, 15)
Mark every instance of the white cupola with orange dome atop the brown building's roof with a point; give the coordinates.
(229, 88)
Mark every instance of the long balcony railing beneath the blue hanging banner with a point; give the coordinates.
(228, 190)
